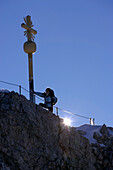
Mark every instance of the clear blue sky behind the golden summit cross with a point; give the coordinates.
(74, 53)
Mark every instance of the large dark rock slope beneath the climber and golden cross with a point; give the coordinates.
(32, 138)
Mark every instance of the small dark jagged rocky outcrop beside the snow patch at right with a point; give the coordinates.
(103, 150)
